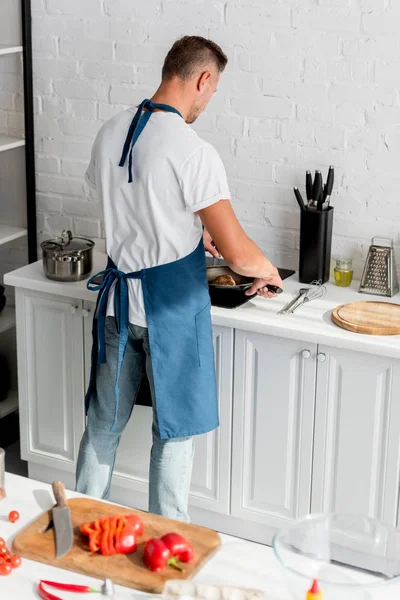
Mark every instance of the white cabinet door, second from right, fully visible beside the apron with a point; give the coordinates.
(273, 418)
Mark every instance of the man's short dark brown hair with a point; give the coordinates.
(191, 53)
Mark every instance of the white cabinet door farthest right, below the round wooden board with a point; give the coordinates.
(357, 429)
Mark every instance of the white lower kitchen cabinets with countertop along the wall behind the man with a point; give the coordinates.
(310, 413)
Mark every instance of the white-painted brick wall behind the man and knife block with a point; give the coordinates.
(309, 83)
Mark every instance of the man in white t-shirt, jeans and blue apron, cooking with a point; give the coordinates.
(158, 183)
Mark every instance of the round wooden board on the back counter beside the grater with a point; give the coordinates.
(373, 318)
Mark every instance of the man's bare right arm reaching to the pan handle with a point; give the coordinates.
(241, 254)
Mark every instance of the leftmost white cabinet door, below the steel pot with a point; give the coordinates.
(50, 370)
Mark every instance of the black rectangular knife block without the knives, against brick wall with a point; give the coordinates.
(315, 245)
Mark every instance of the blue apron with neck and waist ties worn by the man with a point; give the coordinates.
(177, 306)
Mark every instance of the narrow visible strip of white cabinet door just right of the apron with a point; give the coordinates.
(210, 487)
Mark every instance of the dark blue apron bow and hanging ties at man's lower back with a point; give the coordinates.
(121, 310)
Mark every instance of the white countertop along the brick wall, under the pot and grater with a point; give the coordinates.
(311, 323)
